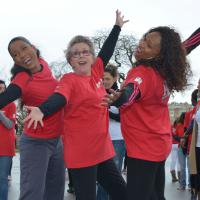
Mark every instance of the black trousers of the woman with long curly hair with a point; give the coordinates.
(145, 179)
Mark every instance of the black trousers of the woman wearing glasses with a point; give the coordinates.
(106, 173)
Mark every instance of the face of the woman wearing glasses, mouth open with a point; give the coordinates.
(81, 59)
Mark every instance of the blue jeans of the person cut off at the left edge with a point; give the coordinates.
(5, 162)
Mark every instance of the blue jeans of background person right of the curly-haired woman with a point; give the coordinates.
(183, 160)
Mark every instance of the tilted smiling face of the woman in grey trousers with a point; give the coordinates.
(24, 55)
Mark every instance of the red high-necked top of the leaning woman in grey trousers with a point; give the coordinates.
(35, 90)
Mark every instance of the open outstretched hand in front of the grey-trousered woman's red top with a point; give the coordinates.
(34, 117)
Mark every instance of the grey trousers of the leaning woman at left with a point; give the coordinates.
(42, 170)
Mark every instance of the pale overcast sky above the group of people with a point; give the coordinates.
(50, 24)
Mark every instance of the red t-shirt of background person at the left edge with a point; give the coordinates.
(7, 136)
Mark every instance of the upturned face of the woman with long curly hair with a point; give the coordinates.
(149, 46)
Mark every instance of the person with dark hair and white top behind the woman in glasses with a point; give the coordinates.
(110, 81)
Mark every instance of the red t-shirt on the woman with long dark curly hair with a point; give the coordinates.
(146, 123)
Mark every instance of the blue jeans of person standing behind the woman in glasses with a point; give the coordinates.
(120, 150)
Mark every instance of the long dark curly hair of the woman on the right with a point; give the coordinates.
(171, 63)
